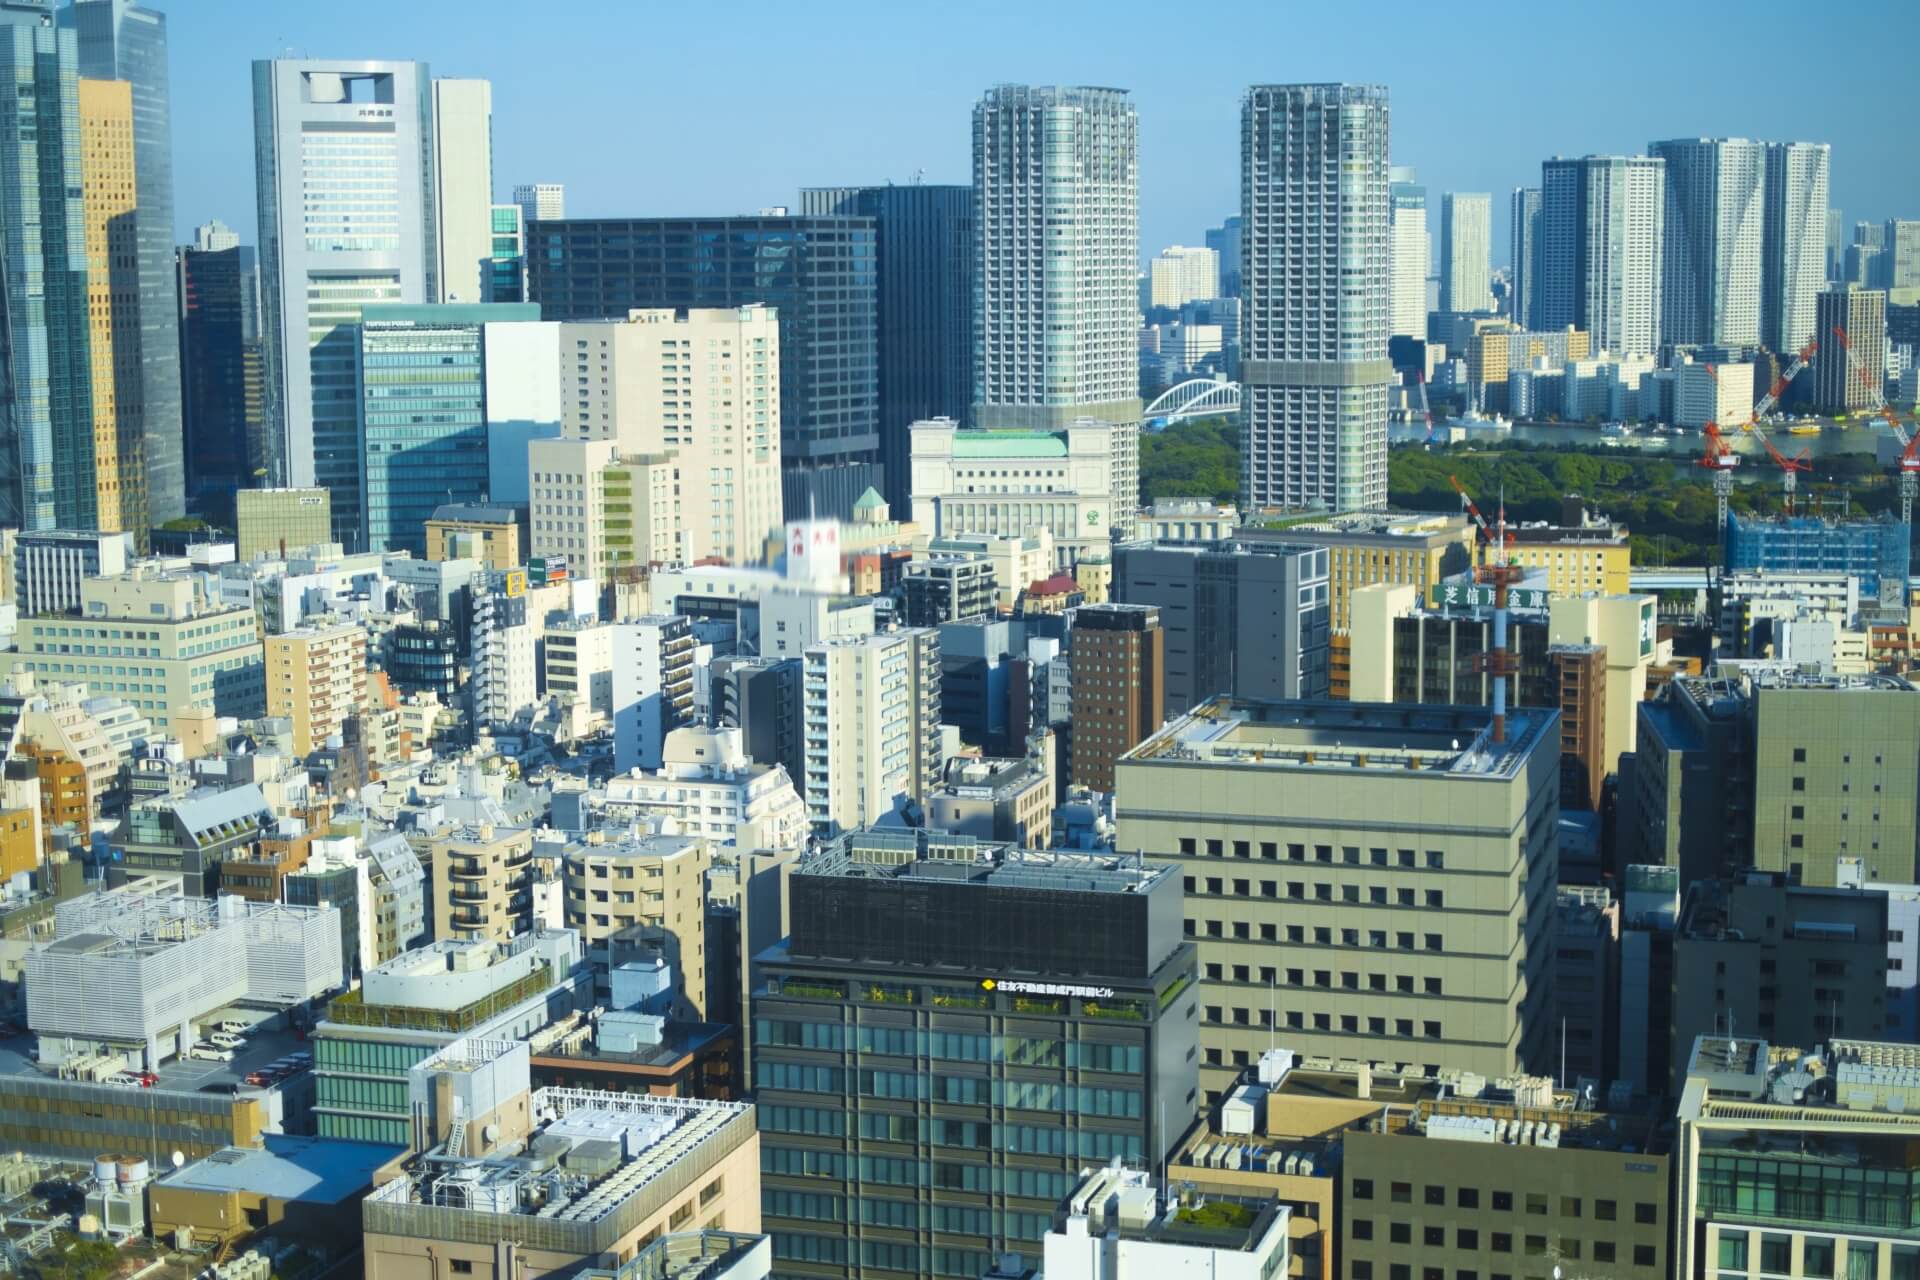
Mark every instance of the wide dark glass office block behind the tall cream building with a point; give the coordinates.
(821, 273)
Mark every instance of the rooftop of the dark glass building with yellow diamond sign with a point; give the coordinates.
(969, 861)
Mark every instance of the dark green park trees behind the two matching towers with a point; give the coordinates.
(1664, 500)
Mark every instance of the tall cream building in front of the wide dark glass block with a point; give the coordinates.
(702, 387)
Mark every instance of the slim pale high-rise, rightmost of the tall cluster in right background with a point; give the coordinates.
(1794, 243)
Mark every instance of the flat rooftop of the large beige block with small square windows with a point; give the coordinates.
(1349, 736)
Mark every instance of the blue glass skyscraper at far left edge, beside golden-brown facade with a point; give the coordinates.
(47, 467)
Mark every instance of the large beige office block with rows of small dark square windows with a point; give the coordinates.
(1366, 882)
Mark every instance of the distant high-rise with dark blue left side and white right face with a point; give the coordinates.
(1602, 227)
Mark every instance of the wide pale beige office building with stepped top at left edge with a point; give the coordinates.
(151, 640)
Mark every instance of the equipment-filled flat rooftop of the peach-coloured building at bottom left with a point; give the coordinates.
(594, 1170)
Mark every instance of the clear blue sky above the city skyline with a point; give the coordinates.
(654, 107)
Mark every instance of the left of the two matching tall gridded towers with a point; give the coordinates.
(1057, 231)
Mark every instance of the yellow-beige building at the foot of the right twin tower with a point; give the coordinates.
(1374, 548)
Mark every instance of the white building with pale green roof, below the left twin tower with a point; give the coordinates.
(1082, 483)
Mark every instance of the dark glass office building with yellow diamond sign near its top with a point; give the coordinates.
(951, 1033)
